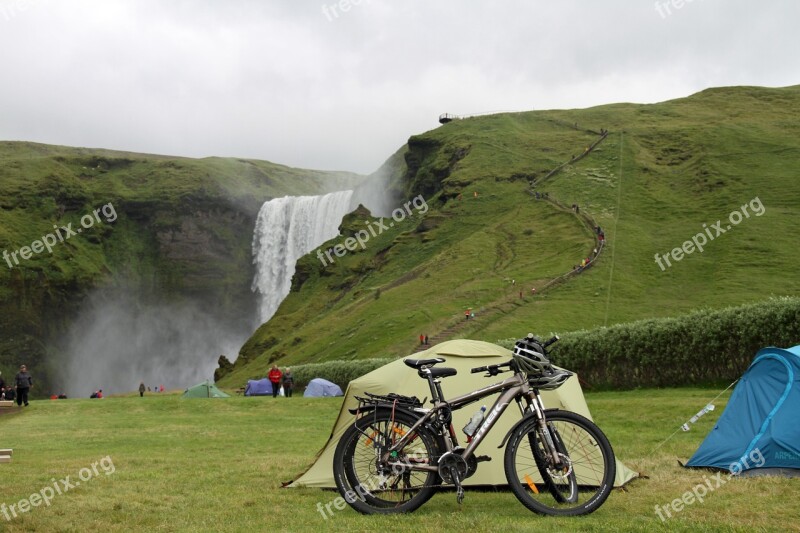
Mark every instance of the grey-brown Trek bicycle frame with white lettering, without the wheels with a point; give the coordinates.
(513, 388)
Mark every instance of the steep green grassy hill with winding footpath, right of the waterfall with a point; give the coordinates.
(664, 173)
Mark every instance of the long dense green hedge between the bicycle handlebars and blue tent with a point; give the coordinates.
(701, 348)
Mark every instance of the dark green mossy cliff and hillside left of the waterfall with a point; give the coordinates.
(182, 232)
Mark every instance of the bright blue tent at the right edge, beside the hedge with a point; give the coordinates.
(759, 430)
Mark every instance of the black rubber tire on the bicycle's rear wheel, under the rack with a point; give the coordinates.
(344, 470)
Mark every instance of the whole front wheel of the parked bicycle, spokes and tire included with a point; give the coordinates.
(576, 483)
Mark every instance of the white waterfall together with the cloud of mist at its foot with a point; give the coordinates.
(126, 335)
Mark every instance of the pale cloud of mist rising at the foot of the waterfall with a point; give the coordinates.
(118, 341)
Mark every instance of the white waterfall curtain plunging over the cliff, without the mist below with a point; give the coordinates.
(286, 229)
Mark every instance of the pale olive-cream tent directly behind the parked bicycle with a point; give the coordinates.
(462, 355)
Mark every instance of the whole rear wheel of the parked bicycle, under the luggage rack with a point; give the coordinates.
(370, 488)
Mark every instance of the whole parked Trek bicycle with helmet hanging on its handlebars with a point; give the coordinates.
(398, 453)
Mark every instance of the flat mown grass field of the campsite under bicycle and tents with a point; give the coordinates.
(217, 465)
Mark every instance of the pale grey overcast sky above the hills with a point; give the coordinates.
(342, 85)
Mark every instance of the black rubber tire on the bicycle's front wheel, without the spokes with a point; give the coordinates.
(519, 489)
